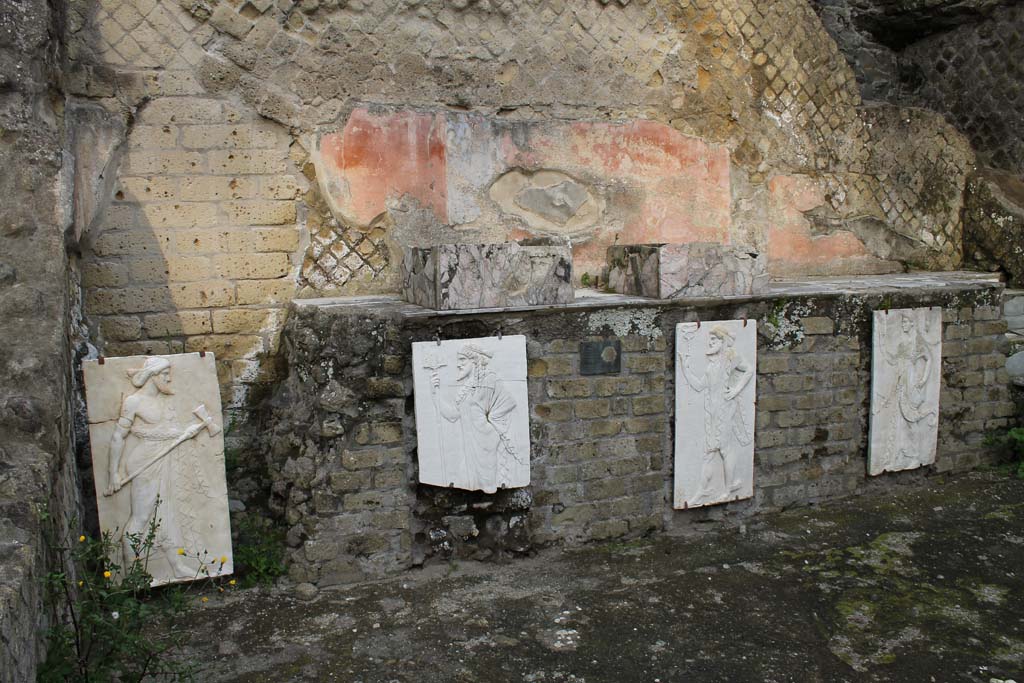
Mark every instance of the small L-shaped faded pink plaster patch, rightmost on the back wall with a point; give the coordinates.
(793, 249)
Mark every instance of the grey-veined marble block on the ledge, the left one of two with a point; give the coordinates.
(461, 277)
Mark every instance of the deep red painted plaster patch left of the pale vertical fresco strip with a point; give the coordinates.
(380, 157)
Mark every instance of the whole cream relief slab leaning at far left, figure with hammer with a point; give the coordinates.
(158, 462)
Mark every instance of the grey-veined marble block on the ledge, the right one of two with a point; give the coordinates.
(672, 272)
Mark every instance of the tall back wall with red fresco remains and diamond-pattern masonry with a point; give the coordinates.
(218, 206)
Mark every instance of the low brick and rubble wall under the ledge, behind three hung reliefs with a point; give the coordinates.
(344, 441)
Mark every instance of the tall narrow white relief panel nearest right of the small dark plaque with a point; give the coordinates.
(716, 376)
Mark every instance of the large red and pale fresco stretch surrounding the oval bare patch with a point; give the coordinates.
(653, 184)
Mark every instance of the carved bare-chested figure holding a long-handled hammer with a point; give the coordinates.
(159, 444)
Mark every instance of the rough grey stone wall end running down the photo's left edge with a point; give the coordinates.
(37, 294)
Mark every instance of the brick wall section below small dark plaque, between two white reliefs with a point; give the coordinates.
(598, 469)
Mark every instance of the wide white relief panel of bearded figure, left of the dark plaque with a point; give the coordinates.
(473, 417)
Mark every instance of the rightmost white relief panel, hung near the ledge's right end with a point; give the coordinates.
(907, 376)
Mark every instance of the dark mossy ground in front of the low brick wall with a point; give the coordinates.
(922, 584)
